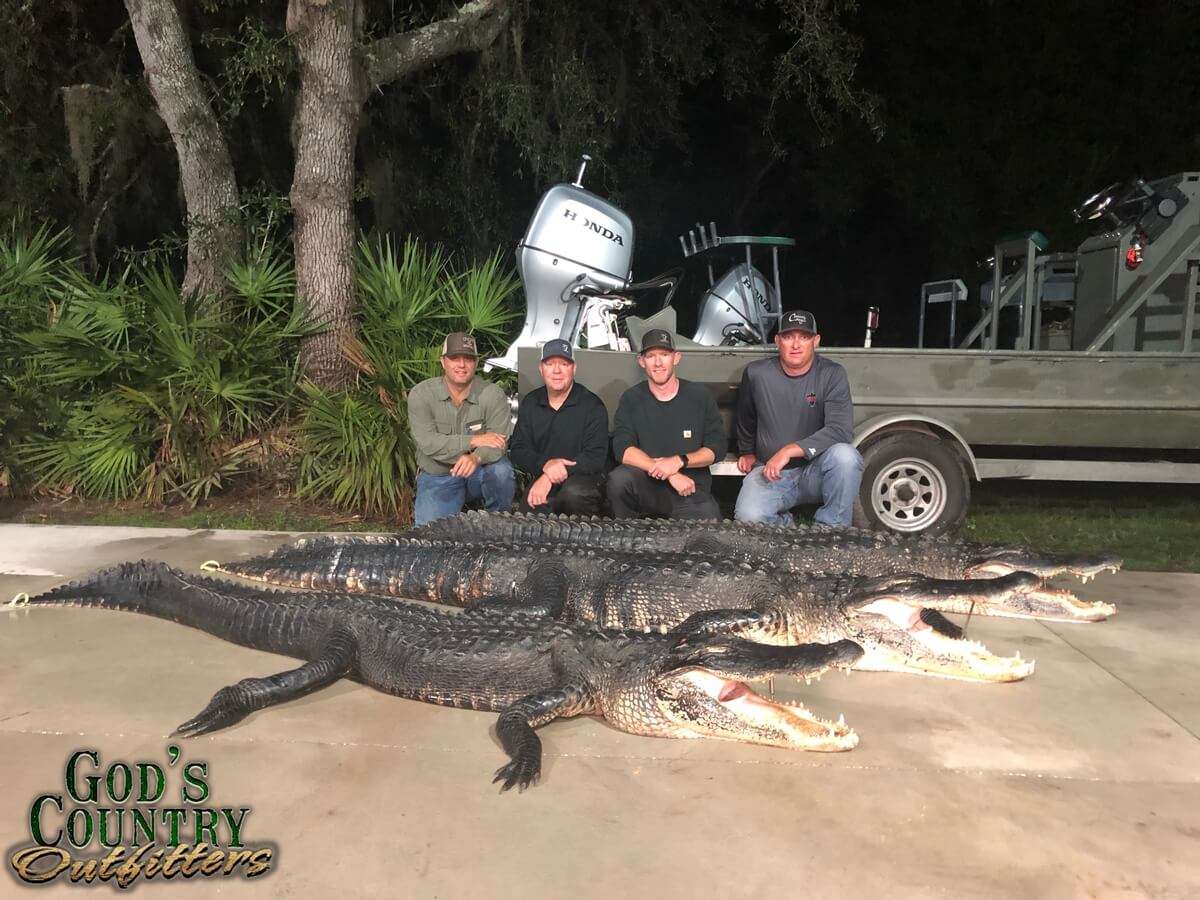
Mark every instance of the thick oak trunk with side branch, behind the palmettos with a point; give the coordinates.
(337, 75)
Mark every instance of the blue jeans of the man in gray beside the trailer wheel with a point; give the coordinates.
(832, 479)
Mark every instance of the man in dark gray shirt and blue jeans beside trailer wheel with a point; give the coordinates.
(795, 425)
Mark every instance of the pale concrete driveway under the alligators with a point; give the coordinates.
(1082, 782)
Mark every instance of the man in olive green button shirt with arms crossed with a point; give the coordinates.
(460, 425)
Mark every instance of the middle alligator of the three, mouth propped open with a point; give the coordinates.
(897, 620)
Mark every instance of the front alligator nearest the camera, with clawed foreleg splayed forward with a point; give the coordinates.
(527, 668)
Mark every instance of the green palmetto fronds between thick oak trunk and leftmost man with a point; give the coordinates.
(359, 453)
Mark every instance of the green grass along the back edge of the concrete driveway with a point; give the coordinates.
(1155, 527)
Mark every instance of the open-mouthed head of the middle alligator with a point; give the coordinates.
(898, 623)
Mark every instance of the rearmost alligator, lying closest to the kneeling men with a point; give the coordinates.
(817, 549)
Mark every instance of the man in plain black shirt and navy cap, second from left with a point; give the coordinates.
(561, 439)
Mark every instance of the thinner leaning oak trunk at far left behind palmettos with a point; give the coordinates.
(206, 170)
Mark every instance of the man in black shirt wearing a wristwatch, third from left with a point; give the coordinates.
(667, 434)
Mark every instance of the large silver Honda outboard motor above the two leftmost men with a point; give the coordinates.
(575, 242)
